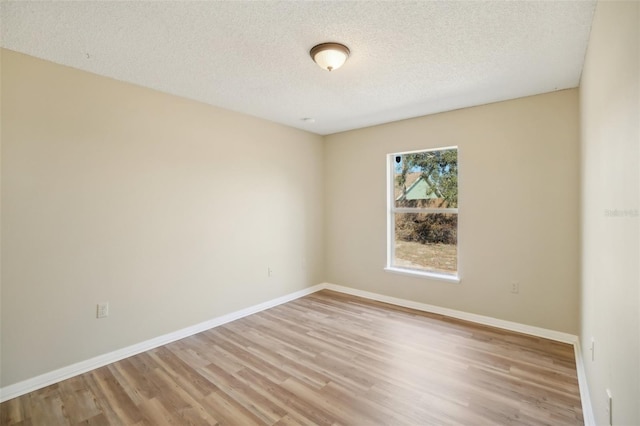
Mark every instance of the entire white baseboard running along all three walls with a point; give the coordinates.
(38, 382)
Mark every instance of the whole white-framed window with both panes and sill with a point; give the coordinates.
(423, 213)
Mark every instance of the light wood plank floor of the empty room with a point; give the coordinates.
(324, 359)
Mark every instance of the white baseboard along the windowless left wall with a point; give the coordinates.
(38, 382)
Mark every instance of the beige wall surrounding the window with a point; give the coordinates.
(518, 218)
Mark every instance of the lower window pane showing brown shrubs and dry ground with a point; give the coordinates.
(427, 242)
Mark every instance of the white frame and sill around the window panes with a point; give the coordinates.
(392, 210)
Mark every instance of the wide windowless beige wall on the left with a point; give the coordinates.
(168, 209)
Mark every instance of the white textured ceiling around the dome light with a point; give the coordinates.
(407, 58)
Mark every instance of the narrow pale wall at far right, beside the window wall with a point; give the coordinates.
(610, 116)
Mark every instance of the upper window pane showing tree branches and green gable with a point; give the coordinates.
(426, 179)
